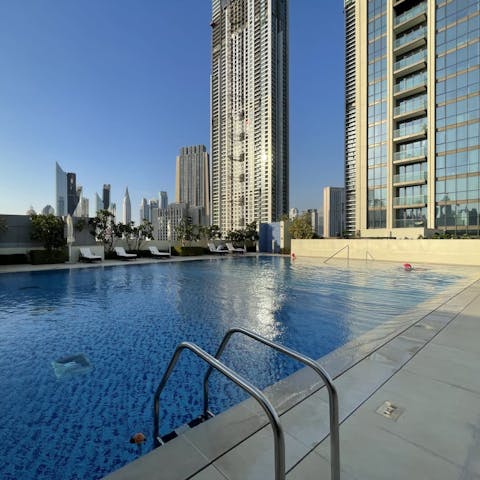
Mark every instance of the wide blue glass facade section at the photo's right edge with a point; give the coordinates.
(457, 90)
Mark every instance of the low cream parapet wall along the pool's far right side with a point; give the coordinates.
(441, 251)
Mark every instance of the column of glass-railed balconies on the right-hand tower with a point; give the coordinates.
(410, 127)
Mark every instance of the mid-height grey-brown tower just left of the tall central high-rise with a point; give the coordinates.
(193, 178)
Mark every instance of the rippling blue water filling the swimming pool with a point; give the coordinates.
(127, 322)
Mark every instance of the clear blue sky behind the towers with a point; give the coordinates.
(111, 89)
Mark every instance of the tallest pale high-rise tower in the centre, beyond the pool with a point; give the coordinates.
(249, 112)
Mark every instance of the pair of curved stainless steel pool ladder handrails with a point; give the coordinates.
(273, 417)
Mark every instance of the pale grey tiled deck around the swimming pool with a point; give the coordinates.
(429, 370)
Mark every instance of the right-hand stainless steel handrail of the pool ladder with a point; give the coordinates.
(332, 392)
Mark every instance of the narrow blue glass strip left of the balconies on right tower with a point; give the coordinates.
(377, 114)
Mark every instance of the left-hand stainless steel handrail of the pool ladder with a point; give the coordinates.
(278, 437)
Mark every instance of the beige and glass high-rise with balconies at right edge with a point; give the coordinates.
(412, 117)
